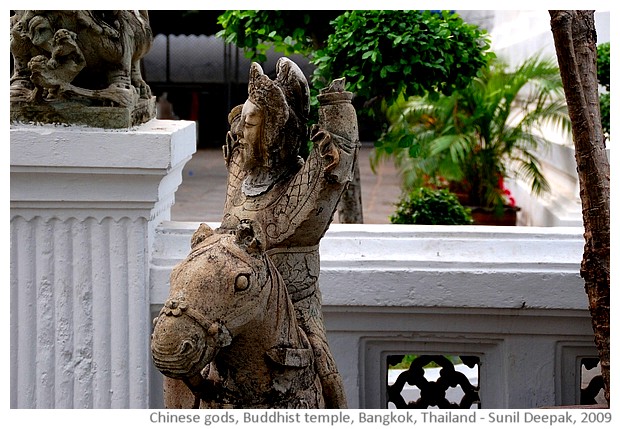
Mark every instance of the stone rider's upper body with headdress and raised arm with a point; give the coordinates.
(268, 181)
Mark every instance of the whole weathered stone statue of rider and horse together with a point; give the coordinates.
(278, 207)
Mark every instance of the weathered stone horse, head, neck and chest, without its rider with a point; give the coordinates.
(229, 331)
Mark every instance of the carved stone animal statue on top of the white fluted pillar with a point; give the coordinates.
(80, 67)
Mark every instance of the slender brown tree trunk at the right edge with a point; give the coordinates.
(575, 43)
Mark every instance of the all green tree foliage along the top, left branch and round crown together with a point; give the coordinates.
(381, 53)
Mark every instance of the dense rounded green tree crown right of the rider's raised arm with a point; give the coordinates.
(387, 54)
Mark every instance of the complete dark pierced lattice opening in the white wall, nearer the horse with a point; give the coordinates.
(433, 393)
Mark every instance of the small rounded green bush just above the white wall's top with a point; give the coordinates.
(426, 206)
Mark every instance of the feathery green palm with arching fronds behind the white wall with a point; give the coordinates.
(474, 139)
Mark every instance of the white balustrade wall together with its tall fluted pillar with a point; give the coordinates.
(92, 248)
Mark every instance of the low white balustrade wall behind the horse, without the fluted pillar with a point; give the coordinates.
(511, 296)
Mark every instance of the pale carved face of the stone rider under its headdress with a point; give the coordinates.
(254, 150)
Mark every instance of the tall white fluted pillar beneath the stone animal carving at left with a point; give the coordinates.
(84, 206)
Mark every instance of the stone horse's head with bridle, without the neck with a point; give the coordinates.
(215, 293)
